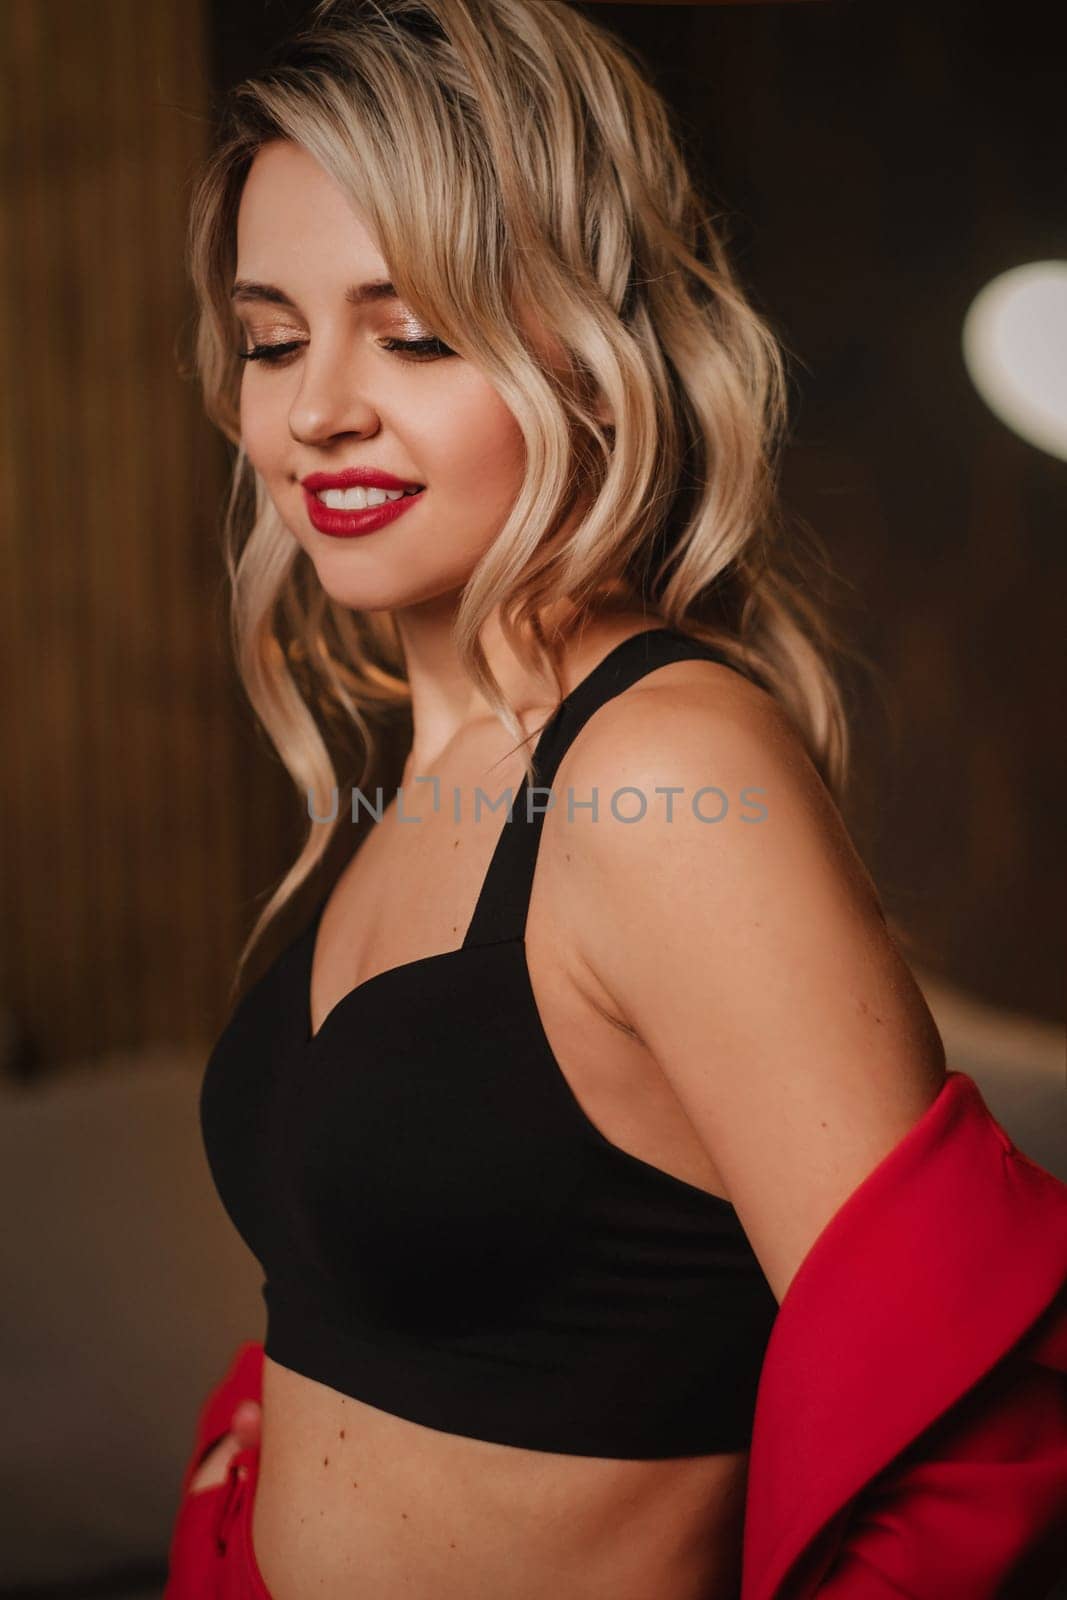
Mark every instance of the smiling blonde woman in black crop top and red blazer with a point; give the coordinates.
(548, 1113)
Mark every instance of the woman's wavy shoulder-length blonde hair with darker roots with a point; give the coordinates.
(513, 154)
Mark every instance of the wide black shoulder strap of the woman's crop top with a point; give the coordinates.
(505, 898)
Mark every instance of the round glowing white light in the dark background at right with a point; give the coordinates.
(1015, 346)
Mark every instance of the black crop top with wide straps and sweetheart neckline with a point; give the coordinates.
(444, 1233)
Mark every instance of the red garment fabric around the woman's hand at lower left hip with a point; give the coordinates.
(212, 1556)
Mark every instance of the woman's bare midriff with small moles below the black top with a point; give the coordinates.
(354, 1503)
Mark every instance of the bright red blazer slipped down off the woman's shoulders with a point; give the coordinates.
(911, 1422)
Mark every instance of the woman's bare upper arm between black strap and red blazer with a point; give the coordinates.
(751, 958)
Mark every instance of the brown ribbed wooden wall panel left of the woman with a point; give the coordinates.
(138, 810)
